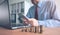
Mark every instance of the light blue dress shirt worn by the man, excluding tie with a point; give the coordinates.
(47, 13)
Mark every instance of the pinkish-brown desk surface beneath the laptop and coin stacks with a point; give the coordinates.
(47, 31)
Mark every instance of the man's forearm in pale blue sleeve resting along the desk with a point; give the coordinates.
(50, 23)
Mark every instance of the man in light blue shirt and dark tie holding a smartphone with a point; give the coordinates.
(43, 12)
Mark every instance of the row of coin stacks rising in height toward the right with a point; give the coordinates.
(35, 29)
